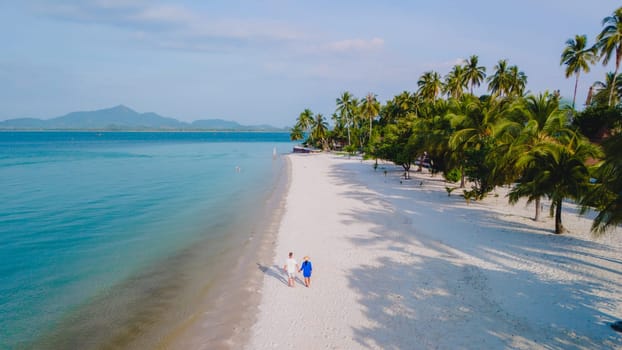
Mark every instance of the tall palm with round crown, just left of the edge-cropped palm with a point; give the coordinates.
(577, 57)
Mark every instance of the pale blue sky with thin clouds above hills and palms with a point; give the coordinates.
(265, 61)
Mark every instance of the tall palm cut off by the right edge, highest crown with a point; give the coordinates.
(609, 41)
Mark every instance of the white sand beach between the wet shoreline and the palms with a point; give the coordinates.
(404, 266)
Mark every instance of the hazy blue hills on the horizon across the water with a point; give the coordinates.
(124, 118)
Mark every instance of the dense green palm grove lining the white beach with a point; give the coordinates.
(536, 144)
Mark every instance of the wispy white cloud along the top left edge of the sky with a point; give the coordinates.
(175, 27)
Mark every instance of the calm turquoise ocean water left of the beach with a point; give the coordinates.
(85, 216)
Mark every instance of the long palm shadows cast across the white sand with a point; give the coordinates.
(429, 295)
